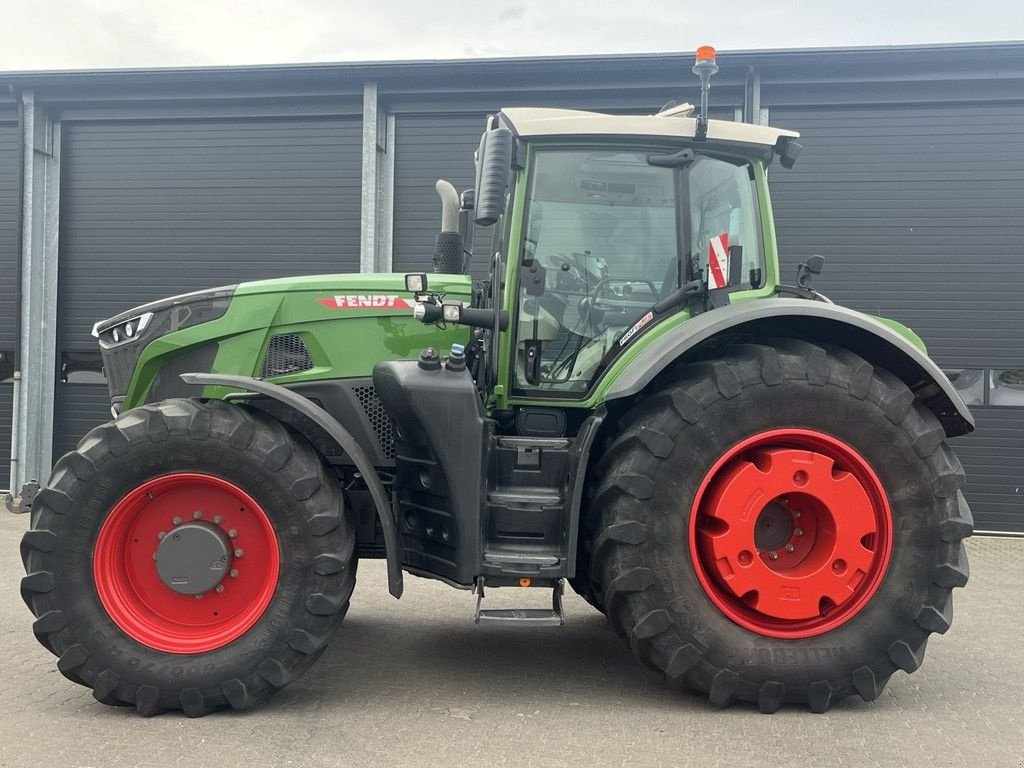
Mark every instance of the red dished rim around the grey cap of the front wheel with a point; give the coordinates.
(143, 606)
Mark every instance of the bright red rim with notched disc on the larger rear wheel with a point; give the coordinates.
(791, 533)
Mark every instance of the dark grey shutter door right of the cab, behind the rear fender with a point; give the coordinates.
(918, 211)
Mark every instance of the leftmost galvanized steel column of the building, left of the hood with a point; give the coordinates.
(33, 429)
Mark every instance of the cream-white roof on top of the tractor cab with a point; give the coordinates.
(677, 123)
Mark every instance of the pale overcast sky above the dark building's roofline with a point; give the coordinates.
(76, 34)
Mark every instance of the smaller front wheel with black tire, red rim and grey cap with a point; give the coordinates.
(172, 480)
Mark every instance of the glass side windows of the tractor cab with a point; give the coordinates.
(609, 236)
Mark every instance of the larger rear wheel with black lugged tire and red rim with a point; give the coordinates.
(781, 525)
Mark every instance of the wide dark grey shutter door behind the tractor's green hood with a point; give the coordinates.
(155, 209)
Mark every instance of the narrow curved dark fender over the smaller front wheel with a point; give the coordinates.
(344, 438)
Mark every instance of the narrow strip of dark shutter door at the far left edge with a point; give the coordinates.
(10, 161)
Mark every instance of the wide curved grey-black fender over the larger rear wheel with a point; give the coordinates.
(813, 321)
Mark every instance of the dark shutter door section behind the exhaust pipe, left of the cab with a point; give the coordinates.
(430, 148)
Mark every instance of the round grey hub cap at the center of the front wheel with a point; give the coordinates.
(194, 559)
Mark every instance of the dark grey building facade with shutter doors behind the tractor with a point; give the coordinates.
(910, 185)
